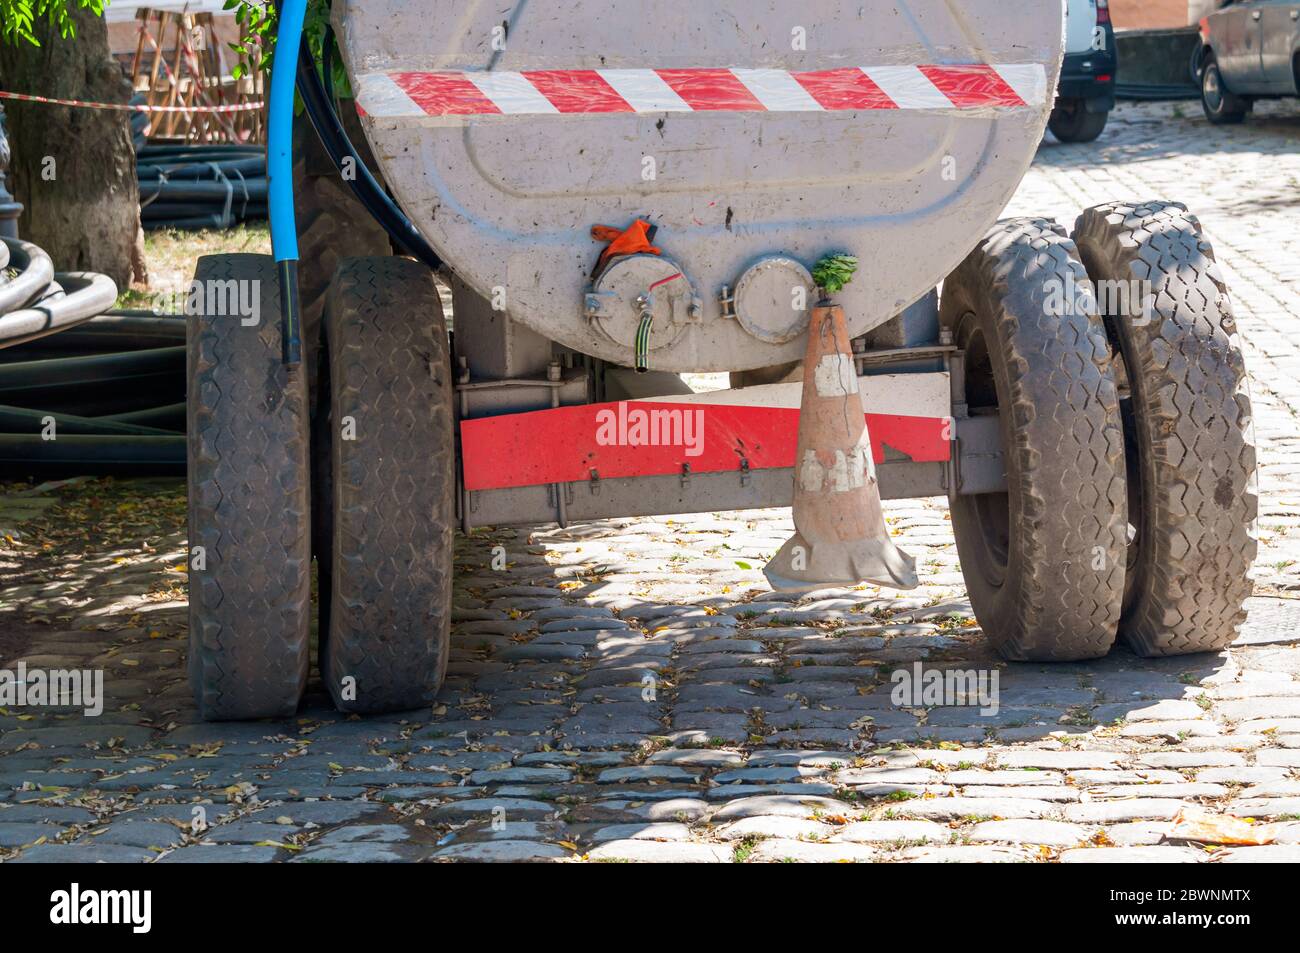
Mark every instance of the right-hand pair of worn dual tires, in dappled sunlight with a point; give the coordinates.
(1112, 362)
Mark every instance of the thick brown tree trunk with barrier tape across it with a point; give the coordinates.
(75, 168)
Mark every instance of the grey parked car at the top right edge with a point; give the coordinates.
(1250, 50)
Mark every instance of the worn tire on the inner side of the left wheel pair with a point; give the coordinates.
(395, 487)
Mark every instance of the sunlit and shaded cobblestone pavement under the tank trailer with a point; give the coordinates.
(631, 691)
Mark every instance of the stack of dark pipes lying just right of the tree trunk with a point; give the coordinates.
(214, 187)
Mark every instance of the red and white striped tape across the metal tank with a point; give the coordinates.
(552, 93)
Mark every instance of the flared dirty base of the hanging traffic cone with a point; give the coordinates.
(837, 565)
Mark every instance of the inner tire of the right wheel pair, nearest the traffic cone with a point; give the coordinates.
(1050, 586)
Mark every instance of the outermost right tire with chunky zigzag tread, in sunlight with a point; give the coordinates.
(1193, 454)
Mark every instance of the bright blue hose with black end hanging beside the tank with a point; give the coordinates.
(280, 170)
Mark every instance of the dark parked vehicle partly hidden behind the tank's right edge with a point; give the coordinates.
(1087, 92)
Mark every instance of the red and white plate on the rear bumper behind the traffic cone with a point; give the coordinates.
(713, 434)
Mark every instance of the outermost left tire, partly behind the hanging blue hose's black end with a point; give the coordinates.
(249, 506)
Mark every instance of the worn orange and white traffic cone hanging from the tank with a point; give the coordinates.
(840, 535)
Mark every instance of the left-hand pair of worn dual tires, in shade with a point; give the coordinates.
(382, 449)
